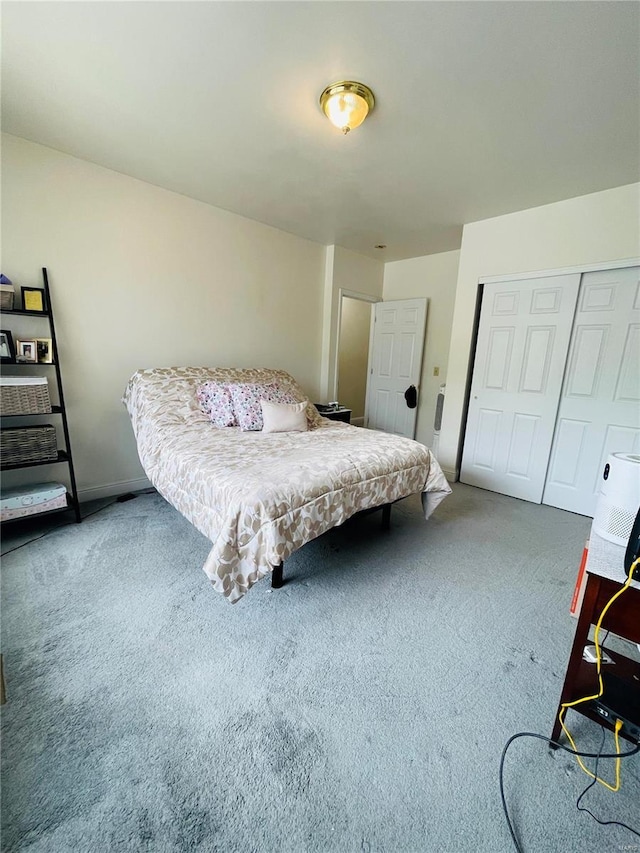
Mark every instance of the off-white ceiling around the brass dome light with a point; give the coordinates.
(483, 108)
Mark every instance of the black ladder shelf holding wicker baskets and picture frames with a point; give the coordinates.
(64, 456)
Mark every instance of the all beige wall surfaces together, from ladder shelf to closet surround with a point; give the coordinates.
(145, 277)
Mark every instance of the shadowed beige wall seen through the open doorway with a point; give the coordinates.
(355, 324)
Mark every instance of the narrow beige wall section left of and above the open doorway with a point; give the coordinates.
(344, 270)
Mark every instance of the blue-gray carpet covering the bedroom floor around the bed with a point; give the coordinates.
(361, 708)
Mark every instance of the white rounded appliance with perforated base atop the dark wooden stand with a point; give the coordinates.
(619, 498)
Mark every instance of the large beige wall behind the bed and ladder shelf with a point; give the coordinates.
(143, 277)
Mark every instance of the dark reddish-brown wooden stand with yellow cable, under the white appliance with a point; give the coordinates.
(623, 619)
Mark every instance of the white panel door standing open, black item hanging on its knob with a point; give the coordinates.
(395, 363)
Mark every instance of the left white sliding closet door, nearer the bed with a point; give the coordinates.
(523, 339)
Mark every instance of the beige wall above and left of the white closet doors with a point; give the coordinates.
(591, 229)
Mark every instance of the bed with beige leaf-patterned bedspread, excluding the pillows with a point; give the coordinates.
(260, 496)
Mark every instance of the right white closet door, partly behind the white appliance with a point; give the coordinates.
(600, 404)
